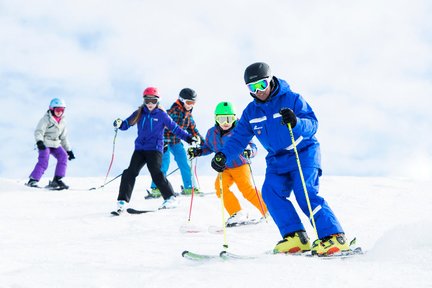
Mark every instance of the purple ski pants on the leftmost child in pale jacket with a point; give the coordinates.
(43, 159)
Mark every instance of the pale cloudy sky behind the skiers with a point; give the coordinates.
(365, 67)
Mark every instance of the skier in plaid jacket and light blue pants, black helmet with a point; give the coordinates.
(181, 113)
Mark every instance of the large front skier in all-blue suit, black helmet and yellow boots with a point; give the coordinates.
(267, 117)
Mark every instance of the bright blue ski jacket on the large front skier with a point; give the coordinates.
(263, 120)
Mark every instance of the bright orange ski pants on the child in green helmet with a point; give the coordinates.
(242, 177)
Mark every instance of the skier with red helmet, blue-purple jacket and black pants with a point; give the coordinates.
(151, 121)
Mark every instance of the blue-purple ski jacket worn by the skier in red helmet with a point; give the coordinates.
(151, 125)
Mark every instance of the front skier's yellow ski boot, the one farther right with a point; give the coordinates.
(333, 244)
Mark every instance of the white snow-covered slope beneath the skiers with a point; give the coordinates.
(68, 239)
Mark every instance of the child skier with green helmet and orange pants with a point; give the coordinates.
(238, 170)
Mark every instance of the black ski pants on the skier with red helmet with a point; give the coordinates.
(153, 159)
